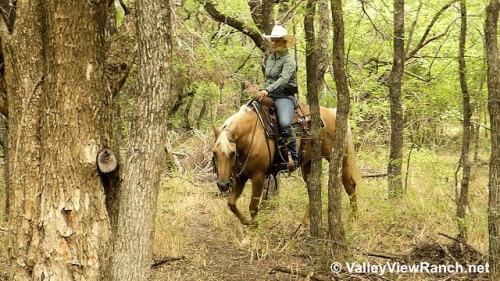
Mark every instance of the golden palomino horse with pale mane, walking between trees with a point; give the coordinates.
(243, 152)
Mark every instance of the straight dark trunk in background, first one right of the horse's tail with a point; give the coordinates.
(394, 168)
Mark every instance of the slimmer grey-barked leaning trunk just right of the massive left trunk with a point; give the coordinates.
(145, 162)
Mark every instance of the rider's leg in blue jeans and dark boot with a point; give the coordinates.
(285, 106)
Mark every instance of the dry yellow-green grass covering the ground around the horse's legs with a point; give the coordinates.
(198, 238)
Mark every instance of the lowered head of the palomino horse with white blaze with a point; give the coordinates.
(224, 158)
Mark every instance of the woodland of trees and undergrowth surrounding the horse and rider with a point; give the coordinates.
(166, 71)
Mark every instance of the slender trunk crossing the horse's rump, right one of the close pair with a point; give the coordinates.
(336, 226)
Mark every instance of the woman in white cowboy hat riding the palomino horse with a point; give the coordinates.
(280, 85)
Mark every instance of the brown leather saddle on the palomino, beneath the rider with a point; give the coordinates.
(301, 122)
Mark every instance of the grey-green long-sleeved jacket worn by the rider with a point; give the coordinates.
(280, 72)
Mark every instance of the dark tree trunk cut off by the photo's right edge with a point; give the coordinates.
(493, 63)
